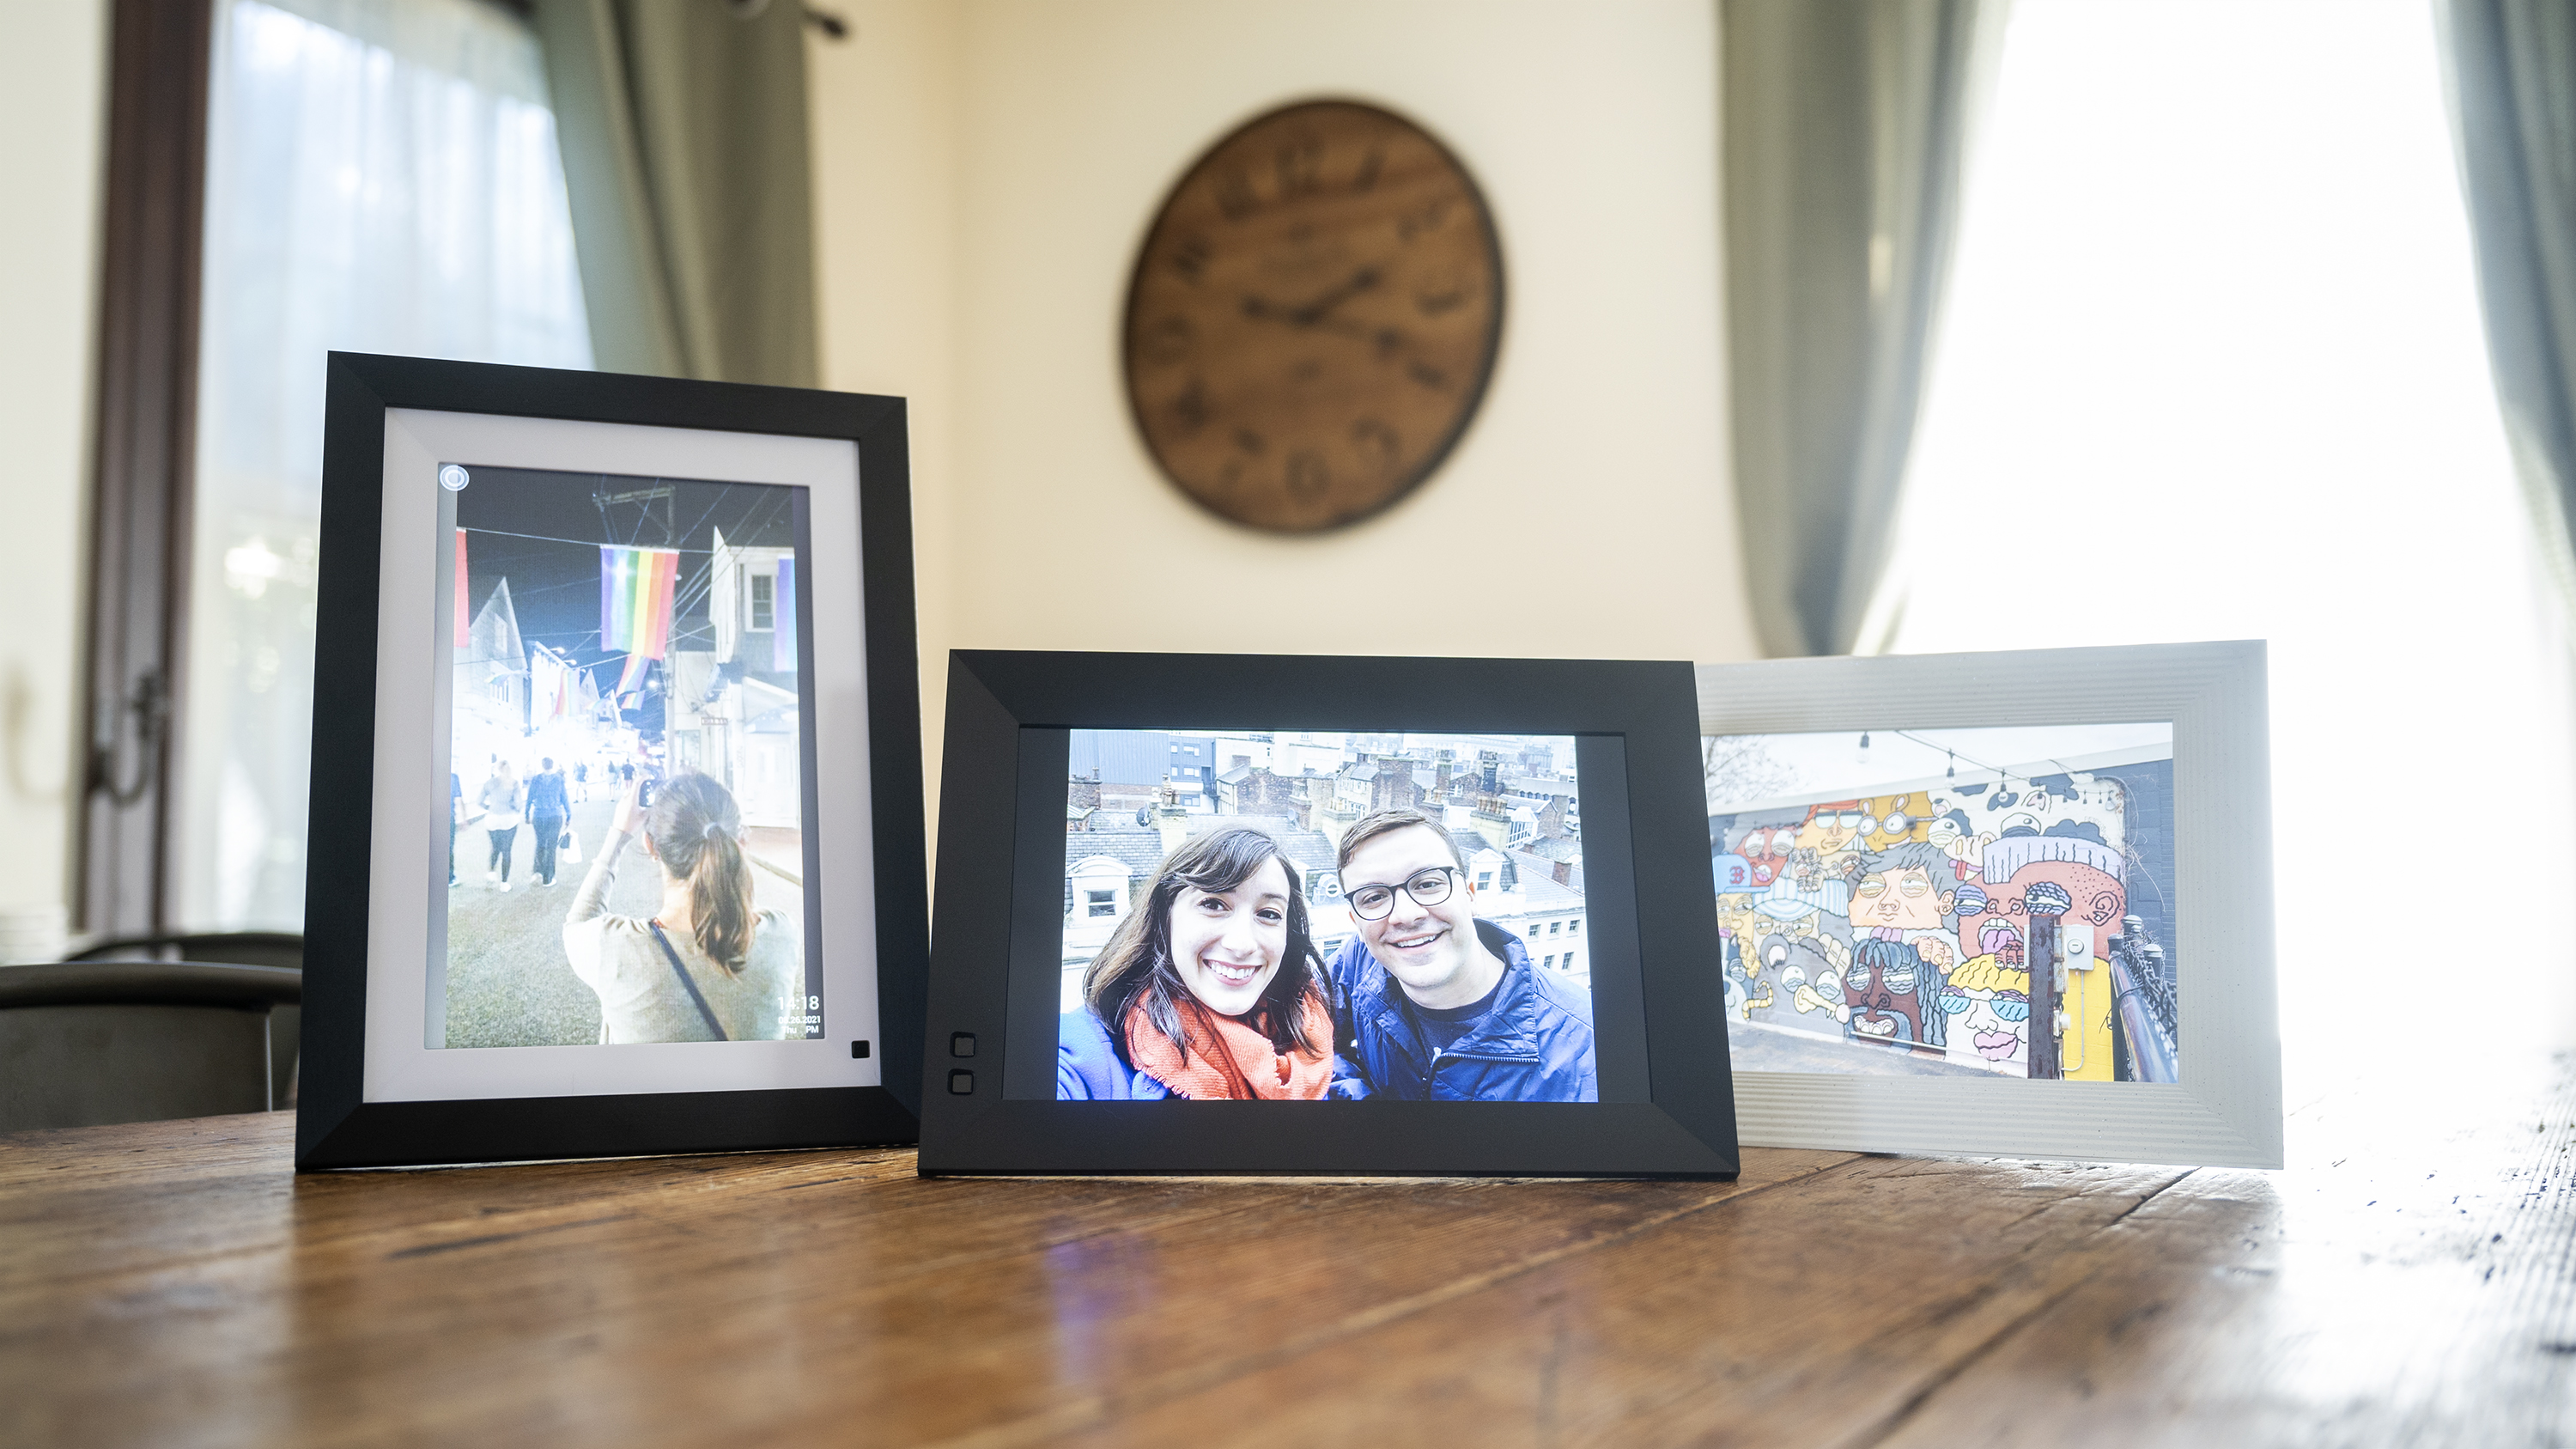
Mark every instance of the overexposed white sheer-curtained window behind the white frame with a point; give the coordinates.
(2214, 370)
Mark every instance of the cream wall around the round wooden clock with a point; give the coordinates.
(985, 174)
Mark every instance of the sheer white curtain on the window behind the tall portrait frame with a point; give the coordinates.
(383, 177)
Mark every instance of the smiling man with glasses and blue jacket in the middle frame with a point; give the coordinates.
(1434, 1004)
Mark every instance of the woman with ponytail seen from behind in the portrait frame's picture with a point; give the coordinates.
(707, 966)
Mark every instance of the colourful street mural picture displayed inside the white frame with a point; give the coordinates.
(1949, 901)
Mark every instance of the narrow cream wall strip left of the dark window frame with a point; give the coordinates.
(53, 86)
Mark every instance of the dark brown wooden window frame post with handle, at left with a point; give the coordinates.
(146, 447)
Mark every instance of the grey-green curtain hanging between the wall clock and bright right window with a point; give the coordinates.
(1843, 135)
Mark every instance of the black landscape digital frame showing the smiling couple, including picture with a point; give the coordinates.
(1351, 917)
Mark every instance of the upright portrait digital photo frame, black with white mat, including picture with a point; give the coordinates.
(617, 806)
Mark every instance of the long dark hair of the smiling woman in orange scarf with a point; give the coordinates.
(1137, 960)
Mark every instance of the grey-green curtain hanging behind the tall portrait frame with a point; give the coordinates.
(684, 133)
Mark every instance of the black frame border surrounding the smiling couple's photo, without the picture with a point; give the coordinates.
(1665, 1102)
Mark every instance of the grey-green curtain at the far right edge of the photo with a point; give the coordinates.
(2513, 97)
